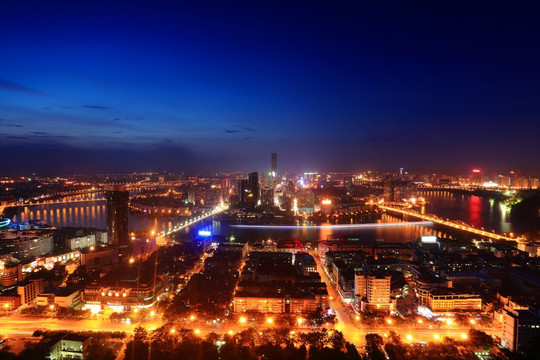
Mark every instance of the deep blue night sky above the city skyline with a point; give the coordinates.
(198, 85)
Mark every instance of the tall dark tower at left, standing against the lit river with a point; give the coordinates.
(117, 215)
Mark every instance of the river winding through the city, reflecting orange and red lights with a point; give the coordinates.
(91, 212)
